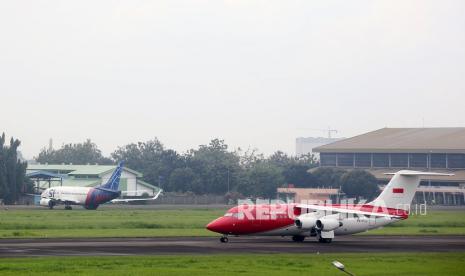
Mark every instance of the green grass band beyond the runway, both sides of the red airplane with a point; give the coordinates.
(112, 222)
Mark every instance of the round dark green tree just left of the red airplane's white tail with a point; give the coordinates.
(359, 183)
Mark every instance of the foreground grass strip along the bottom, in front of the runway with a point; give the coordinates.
(273, 264)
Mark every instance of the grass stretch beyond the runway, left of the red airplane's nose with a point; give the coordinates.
(106, 222)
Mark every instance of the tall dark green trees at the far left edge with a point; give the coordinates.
(12, 171)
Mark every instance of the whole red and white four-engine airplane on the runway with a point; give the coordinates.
(322, 221)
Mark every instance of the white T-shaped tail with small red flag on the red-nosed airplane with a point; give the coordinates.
(401, 189)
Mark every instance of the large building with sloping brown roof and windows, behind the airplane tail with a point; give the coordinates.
(392, 149)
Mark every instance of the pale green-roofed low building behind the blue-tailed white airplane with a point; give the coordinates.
(90, 176)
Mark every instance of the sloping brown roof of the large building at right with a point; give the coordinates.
(413, 140)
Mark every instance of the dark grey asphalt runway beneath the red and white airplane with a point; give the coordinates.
(209, 245)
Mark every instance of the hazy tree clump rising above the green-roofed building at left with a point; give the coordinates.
(78, 154)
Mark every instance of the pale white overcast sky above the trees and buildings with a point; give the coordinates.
(255, 73)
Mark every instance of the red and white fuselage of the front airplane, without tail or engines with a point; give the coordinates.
(270, 220)
